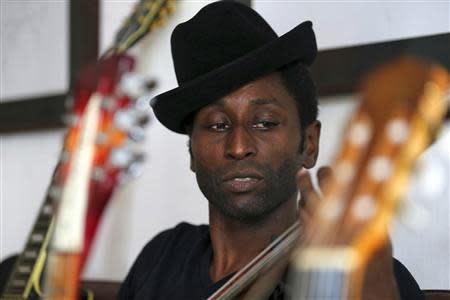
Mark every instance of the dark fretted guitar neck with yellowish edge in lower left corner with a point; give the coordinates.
(25, 276)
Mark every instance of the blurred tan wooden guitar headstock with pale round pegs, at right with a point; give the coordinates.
(403, 104)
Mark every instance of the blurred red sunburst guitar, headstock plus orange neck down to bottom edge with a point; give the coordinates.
(97, 153)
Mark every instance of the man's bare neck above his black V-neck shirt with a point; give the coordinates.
(236, 243)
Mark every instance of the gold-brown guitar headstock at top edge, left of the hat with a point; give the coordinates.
(146, 16)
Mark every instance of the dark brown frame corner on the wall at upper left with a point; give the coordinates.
(46, 112)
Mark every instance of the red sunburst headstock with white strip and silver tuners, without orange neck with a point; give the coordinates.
(105, 123)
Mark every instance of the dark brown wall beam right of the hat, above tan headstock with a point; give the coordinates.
(339, 71)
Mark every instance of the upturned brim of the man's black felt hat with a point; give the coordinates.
(172, 107)
